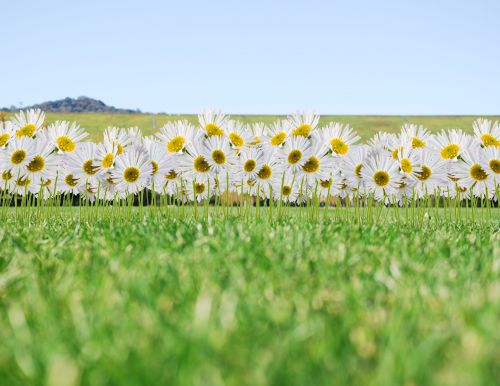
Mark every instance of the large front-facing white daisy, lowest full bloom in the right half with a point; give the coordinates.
(381, 176)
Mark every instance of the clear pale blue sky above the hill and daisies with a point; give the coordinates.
(256, 57)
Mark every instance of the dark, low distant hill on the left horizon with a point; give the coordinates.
(81, 104)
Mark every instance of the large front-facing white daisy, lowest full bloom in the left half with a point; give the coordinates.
(132, 170)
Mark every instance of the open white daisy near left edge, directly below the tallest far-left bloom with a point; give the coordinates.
(19, 152)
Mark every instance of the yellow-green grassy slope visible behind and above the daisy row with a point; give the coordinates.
(366, 126)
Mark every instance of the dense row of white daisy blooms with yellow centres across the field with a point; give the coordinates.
(290, 160)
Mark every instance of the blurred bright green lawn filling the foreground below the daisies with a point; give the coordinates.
(235, 302)
